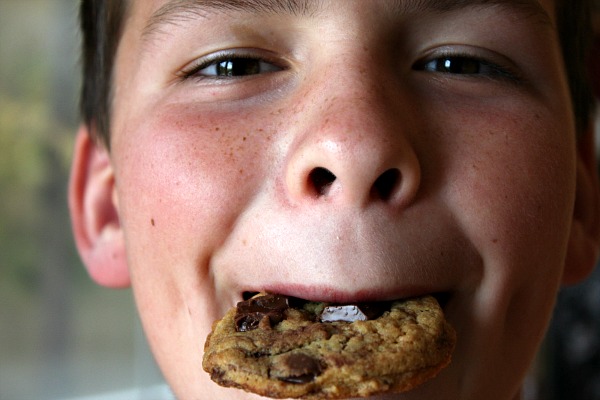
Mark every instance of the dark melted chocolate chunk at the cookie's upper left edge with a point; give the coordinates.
(249, 313)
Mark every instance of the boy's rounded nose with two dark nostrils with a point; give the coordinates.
(354, 149)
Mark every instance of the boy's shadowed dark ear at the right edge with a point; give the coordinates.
(584, 241)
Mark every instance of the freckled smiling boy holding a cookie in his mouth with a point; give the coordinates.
(339, 151)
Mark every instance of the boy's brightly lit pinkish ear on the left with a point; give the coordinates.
(94, 213)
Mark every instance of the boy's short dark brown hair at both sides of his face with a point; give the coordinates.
(102, 23)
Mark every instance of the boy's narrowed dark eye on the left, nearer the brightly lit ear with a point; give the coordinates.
(232, 67)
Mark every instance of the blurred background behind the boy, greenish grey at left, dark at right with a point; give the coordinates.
(63, 337)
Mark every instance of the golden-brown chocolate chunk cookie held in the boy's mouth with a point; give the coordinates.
(283, 347)
